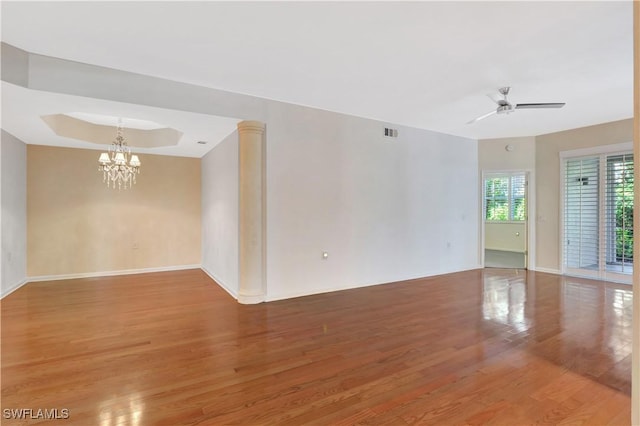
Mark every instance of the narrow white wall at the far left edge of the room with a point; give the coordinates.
(14, 213)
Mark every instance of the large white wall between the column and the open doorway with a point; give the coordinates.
(384, 209)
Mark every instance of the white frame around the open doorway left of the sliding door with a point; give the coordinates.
(530, 191)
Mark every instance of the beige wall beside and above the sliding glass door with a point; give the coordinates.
(547, 156)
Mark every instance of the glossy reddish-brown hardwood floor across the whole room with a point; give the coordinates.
(484, 347)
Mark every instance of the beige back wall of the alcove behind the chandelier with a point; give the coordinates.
(75, 224)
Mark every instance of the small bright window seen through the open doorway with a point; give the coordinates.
(505, 197)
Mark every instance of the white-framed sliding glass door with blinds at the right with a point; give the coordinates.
(598, 216)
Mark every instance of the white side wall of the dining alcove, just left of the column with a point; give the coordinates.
(220, 213)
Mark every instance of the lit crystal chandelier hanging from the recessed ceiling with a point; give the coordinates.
(118, 166)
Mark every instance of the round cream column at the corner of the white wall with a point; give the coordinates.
(251, 199)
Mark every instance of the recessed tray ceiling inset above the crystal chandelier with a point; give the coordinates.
(98, 129)
